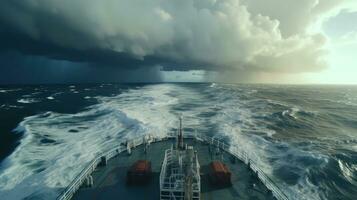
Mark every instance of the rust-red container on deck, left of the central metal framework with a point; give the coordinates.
(139, 172)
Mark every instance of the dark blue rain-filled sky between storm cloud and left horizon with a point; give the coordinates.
(19, 69)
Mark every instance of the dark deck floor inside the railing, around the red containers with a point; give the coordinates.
(109, 182)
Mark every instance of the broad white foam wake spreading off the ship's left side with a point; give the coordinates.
(40, 169)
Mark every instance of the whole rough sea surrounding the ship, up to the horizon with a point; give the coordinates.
(303, 137)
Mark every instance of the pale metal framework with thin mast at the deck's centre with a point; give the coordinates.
(180, 172)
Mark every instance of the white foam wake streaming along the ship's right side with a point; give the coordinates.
(236, 121)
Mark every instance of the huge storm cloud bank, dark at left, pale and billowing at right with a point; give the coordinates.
(243, 35)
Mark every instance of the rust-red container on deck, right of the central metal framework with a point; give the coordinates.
(219, 174)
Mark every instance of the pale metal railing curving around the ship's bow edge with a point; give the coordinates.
(234, 150)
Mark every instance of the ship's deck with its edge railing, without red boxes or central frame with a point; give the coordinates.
(248, 181)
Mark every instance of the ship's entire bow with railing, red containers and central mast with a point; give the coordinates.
(176, 167)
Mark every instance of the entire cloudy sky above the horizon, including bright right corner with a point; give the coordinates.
(278, 41)
